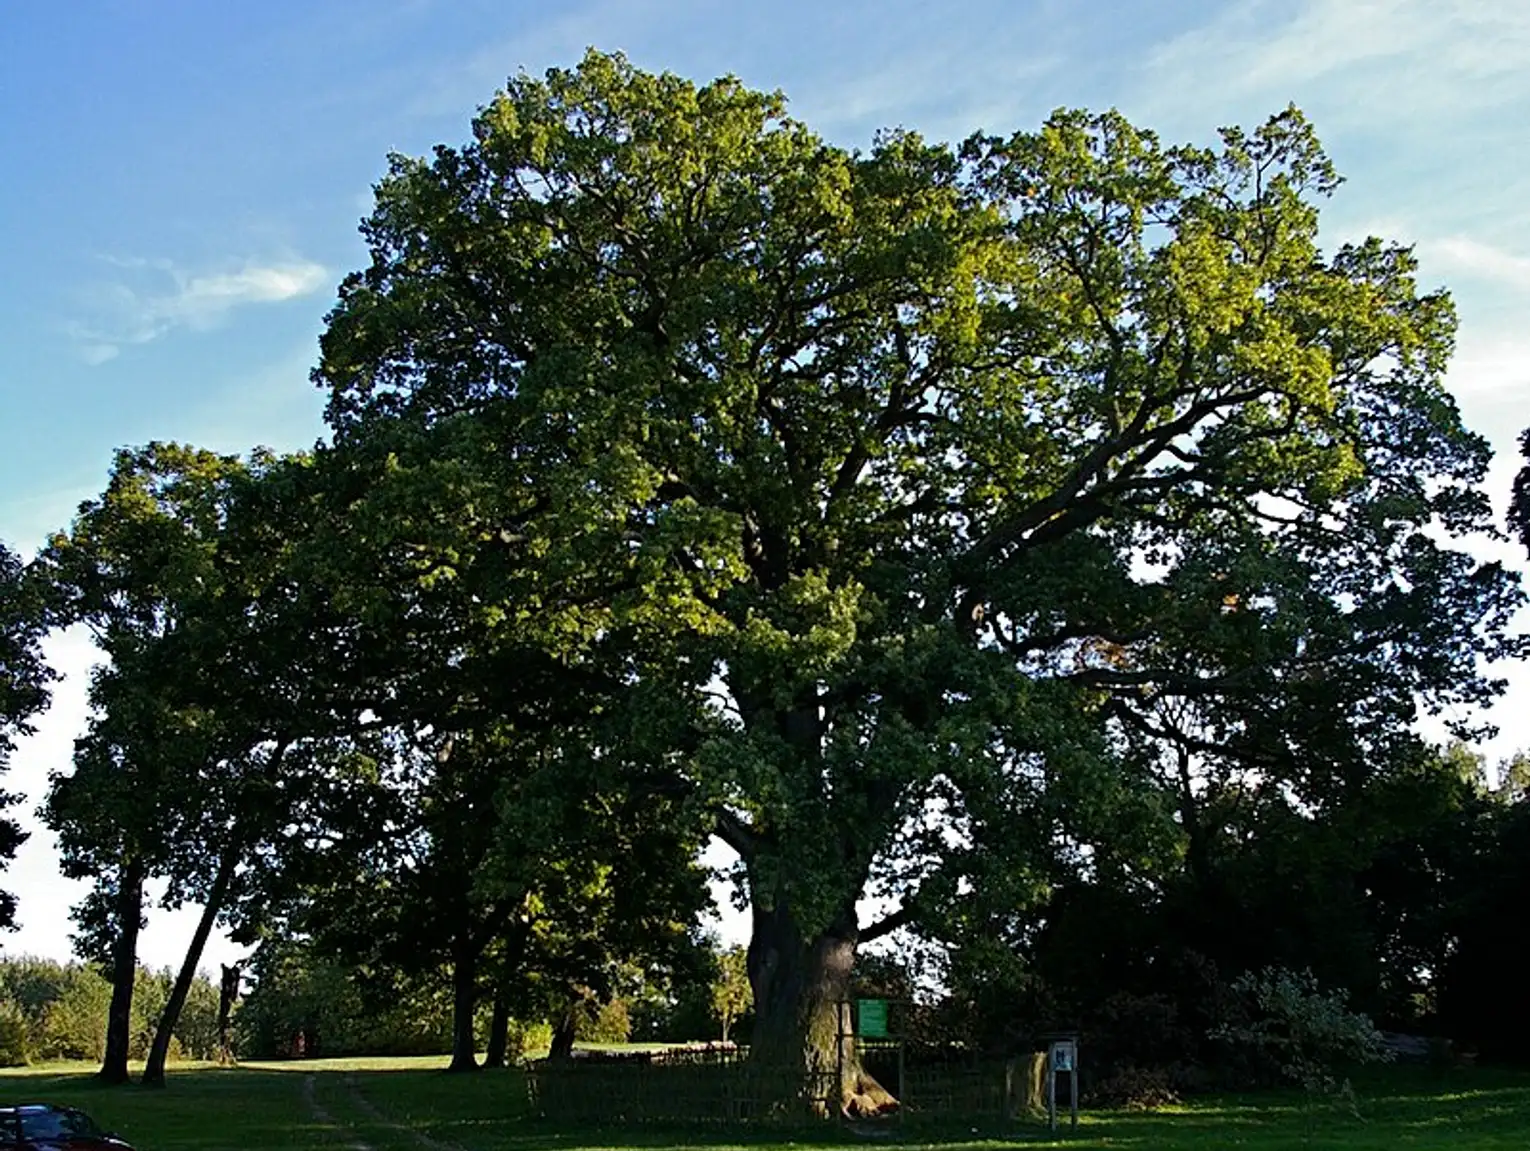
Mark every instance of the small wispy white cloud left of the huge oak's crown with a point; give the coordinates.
(155, 298)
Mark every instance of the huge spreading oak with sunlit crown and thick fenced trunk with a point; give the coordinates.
(919, 480)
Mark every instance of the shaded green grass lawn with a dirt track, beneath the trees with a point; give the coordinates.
(409, 1106)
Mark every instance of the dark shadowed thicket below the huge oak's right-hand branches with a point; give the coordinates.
(1379, 893)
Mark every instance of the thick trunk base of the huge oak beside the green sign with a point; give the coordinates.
(802, 1020)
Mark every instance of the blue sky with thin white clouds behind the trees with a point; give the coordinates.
(183, 184)
